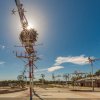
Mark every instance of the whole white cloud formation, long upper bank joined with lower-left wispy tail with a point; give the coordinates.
(79, 60)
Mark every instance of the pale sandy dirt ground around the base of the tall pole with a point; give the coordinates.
(55, 94)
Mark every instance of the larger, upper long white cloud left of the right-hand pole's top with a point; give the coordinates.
(80, 60)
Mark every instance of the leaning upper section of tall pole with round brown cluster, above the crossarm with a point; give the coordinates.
(28, 37)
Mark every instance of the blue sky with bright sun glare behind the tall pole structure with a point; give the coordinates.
(67, 28)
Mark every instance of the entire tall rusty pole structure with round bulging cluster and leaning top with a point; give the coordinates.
(28, 37)
